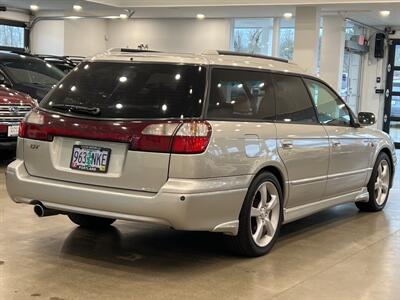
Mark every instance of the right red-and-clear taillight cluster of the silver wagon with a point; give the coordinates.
(185, 138)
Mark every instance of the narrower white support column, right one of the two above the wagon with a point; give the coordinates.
(332, 51)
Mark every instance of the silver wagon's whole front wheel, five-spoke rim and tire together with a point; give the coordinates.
(378, 186)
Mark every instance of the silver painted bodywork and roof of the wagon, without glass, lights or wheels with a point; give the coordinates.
(204, 191)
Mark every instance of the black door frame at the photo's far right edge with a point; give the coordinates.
(389, 86)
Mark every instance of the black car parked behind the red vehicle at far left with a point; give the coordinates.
(28, 74)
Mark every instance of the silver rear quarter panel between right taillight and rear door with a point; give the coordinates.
(235, 148)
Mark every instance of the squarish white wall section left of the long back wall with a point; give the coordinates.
(84, 37)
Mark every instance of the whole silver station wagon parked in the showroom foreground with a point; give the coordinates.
(221, 142)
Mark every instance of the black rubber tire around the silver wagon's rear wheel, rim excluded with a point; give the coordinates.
(243, 243)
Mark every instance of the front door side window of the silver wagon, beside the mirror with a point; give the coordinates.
(331, 110)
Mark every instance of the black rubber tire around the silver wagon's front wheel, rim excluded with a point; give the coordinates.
(372, 205)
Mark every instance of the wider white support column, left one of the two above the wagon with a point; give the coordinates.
(306, 38)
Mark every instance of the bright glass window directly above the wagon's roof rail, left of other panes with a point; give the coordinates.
(253, 36)
